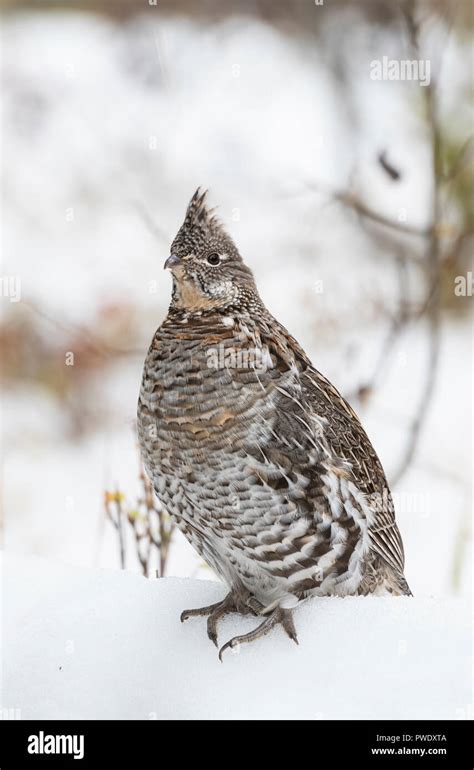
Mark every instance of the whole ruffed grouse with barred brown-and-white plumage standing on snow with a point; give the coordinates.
(263, 465)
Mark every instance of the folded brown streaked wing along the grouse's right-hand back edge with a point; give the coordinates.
(322, 408)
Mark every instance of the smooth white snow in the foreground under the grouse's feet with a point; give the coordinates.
(86, 643)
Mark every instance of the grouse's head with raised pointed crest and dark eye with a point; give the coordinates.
(208, 271)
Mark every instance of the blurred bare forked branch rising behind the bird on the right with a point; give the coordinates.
(434, 251)
